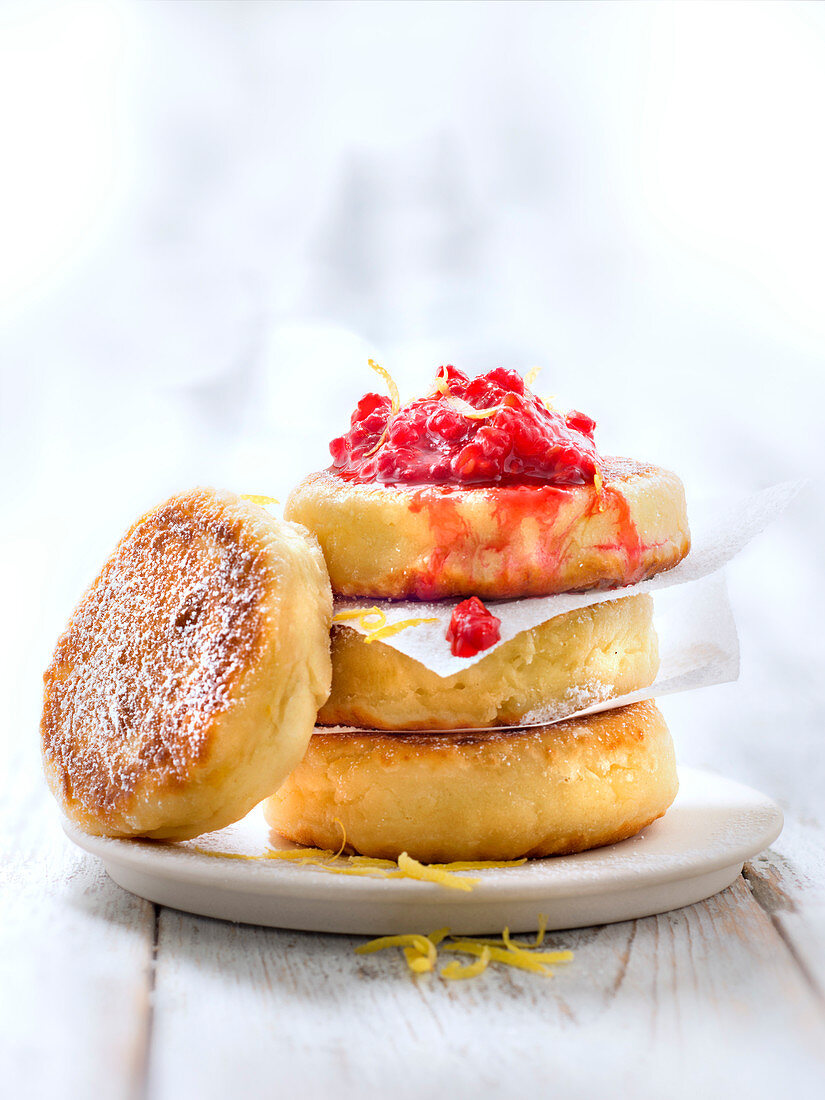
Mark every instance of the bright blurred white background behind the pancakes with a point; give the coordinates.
(212, 214)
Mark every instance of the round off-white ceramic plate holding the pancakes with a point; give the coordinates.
(696, 851)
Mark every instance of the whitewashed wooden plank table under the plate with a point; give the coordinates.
(106, 996)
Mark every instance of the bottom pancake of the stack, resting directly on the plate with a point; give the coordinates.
(485, 796)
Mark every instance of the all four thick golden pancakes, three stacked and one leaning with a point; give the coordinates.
(199, 675)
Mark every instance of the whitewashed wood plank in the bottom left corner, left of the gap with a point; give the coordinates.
(75, 954)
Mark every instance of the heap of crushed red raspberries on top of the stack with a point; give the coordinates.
(434, 439)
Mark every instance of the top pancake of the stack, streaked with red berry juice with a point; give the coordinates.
(501, 542)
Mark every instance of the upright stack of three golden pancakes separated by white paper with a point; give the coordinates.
(455, 768)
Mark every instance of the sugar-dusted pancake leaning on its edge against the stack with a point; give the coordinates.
(186, 685)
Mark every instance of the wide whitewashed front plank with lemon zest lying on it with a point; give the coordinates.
(664, 1006)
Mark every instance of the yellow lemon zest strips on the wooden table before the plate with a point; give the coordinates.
(422, 952)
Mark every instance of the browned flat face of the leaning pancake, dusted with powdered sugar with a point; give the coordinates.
(151, 654)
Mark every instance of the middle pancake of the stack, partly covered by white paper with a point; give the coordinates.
(565, 665)
